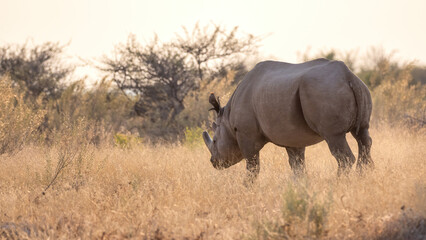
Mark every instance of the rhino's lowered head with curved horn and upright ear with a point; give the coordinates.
(224, 146)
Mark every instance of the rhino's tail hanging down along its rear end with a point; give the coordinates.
(362, 99)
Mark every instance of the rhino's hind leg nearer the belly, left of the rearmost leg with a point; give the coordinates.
(342, 152)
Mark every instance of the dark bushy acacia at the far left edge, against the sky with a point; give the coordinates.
(35, 70)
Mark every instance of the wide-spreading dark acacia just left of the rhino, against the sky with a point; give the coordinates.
(162, 74)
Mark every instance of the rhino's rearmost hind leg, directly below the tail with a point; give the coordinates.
(364, 145)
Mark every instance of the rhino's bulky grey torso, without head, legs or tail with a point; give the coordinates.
(269, 101)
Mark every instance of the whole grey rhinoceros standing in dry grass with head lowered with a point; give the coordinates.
(292, 106)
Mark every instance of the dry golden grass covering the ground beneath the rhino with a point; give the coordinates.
(174, 192)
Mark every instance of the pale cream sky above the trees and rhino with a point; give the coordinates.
(94, 27)
